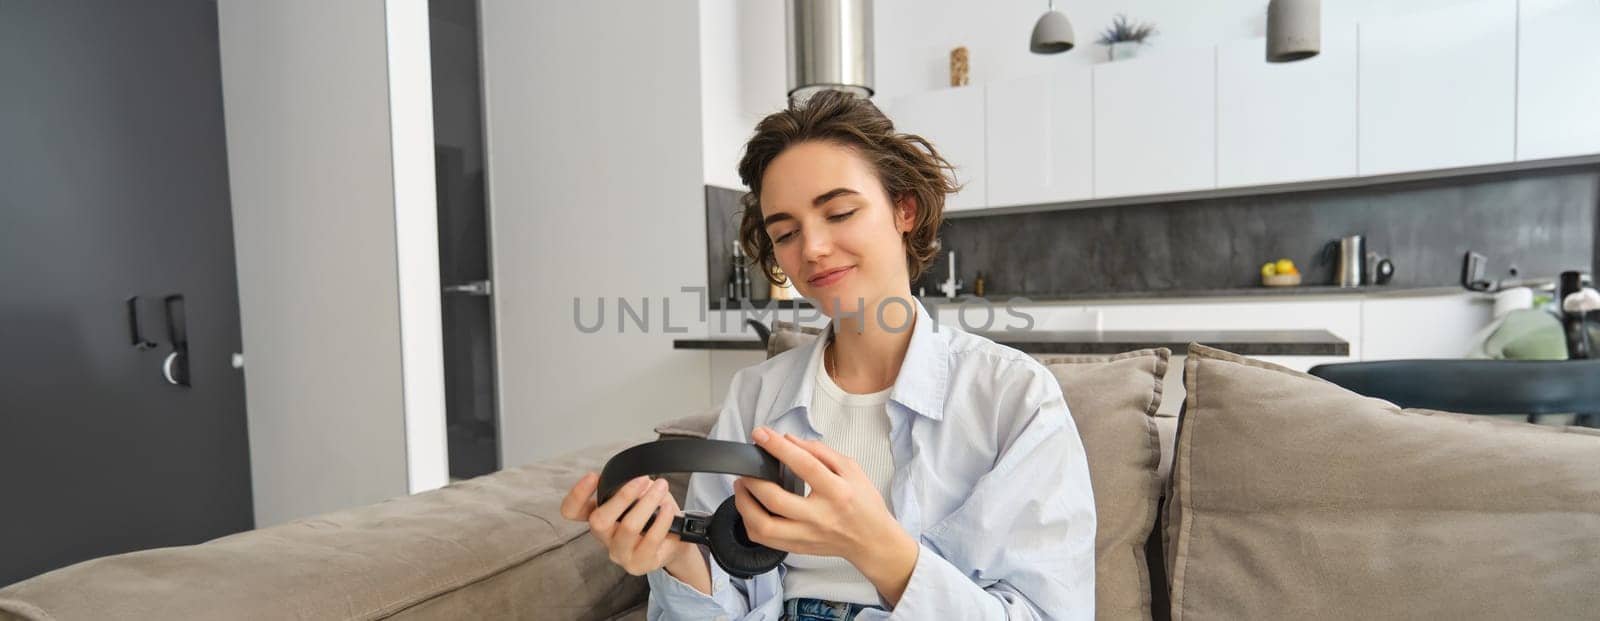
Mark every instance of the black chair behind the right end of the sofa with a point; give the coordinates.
(1530, 388)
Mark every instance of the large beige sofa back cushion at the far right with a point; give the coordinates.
(1295, 499)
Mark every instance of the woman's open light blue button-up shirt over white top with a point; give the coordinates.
(990, 478)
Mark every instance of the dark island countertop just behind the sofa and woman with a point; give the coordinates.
(1116, 342)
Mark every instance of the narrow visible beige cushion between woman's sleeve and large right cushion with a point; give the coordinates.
(1113, 403)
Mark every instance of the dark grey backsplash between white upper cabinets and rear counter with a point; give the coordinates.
(1540, 222)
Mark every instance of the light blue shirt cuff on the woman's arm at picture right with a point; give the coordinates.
(940, 591)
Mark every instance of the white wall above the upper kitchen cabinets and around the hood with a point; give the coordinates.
(913, 41)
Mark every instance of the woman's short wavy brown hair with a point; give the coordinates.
(905, 164)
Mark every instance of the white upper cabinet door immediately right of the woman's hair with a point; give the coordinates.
(953, 119)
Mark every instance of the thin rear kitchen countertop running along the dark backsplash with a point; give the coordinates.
(1092, 297)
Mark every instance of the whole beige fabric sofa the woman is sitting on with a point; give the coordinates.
(1286, 499)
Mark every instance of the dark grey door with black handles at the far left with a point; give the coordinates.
(114, 185)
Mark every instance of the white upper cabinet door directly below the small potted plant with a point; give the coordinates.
(1156, 124)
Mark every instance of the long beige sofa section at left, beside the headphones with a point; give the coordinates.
(489, 548)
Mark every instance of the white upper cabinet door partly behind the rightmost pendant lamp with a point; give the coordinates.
(1284, 122)
